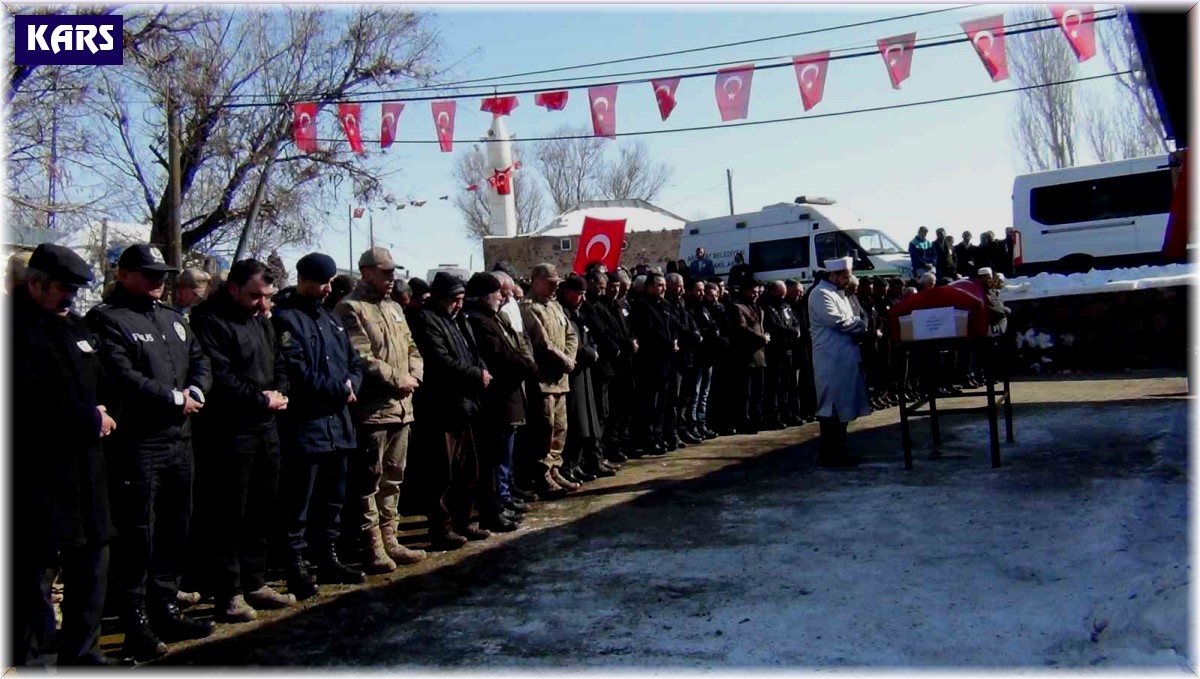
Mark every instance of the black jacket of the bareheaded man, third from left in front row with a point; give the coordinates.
(245, 360)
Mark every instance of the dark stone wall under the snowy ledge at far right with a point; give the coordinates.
(1105, 332)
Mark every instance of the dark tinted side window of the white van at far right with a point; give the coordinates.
(1108, 199)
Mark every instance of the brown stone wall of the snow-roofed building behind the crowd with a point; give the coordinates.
(525, 253)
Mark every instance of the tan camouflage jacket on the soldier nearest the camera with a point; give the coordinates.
(380, 334)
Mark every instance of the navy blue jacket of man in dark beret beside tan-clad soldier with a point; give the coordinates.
(320, 360)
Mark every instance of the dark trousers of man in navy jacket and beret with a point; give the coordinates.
(311, 495)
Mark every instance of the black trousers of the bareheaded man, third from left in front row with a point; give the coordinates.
(242, 488)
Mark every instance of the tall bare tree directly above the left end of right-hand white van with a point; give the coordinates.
(1046, 125)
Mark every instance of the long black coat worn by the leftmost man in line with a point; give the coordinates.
(59, 483)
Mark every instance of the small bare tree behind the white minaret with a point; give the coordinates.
(472, 170)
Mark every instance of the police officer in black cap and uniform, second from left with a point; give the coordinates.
(160, 376)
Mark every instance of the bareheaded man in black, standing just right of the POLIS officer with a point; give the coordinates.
(238, 443)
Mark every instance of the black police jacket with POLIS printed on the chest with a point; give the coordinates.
(149, 353)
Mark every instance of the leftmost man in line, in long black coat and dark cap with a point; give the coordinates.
(59, 483)
